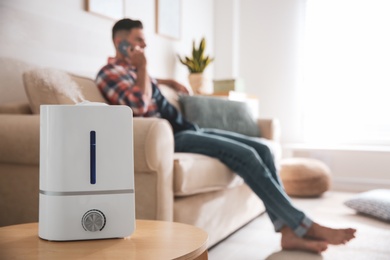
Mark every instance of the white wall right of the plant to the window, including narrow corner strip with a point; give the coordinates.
(270, 34)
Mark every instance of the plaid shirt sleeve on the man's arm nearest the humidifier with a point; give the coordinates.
(118, 87)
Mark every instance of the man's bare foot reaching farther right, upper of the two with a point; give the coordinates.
(332, 236)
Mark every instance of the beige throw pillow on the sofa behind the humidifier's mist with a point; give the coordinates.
(50, 86)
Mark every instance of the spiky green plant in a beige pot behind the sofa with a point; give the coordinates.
(196, 65)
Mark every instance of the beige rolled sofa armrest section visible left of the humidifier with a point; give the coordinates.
(19, 139)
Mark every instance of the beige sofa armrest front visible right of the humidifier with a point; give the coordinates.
(153, 168)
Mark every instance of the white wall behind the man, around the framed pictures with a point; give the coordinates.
(61, 34)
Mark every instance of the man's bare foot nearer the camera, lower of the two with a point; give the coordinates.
(290, 241)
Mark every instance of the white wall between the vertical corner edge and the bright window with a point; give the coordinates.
(270, 44)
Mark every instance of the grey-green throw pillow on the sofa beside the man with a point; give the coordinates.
(212, 112)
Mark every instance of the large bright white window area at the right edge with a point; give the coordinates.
(347, 72)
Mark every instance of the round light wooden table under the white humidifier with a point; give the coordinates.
(151, 240)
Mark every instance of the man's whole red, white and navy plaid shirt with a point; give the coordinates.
(117, 83)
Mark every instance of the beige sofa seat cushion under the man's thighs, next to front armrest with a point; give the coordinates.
(196, 173)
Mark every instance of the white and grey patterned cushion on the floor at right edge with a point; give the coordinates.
(375, 203)
